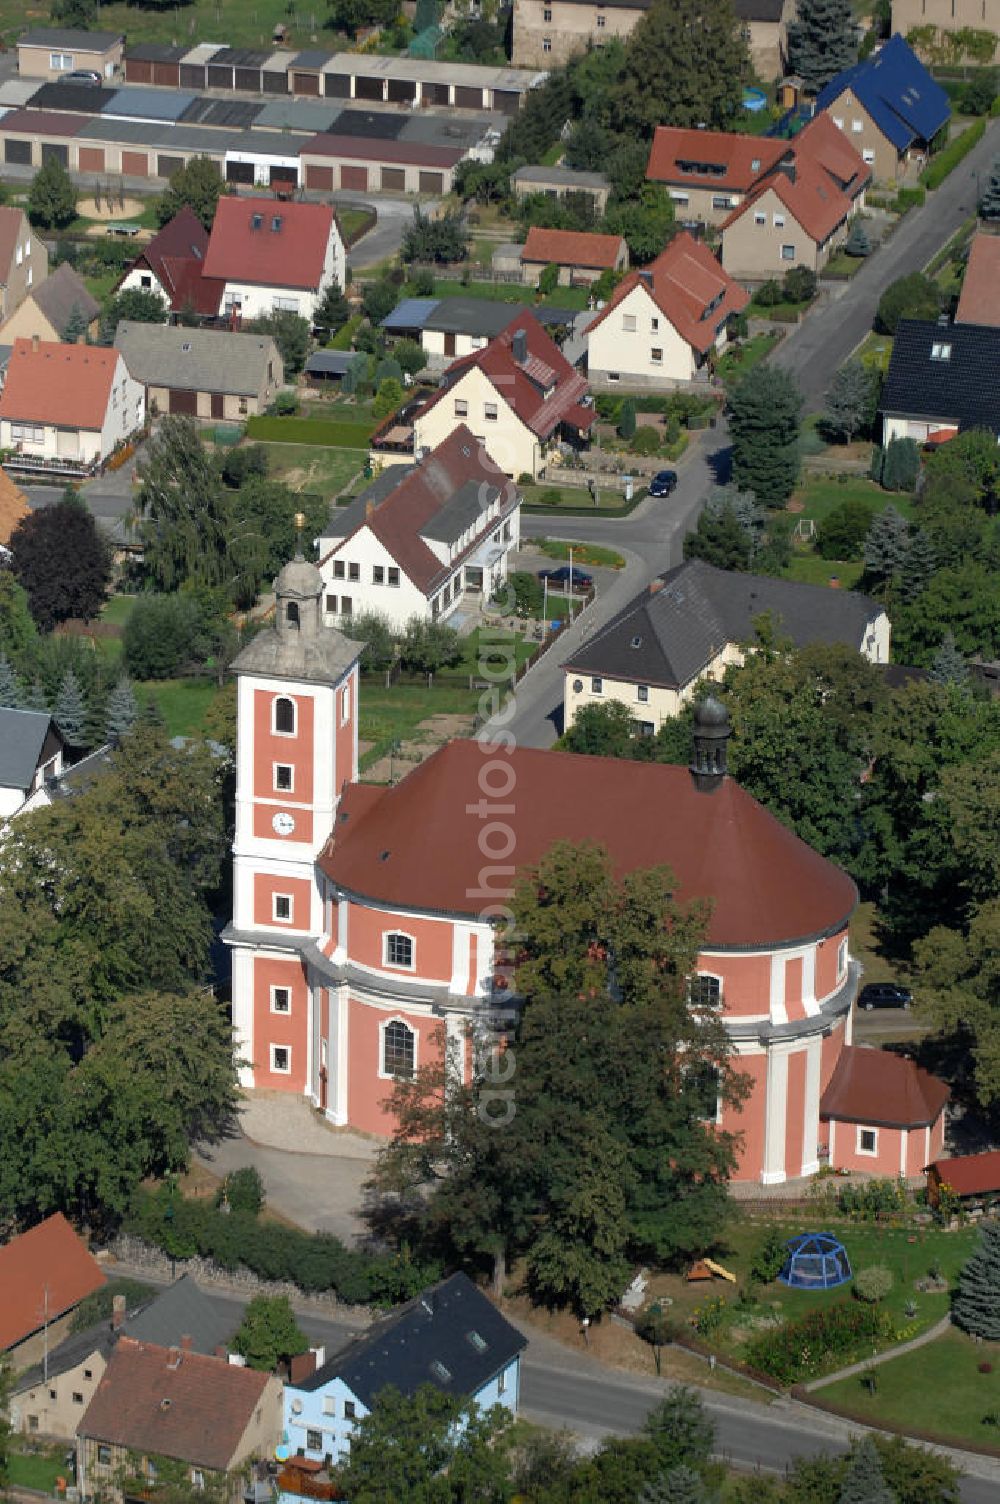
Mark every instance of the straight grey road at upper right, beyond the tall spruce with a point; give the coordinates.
(825, 341)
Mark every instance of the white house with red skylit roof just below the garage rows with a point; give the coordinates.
(273, 256)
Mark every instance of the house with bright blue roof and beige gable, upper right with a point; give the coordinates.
(889, 108)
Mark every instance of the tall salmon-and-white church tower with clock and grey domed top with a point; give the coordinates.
(297, 717)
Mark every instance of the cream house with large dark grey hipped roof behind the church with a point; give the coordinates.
(691, 623)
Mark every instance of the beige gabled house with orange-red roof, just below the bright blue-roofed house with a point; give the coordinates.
(801, 211)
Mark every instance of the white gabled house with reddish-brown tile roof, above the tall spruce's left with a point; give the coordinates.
(664, 323)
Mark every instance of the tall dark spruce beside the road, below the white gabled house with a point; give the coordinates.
(765, 413)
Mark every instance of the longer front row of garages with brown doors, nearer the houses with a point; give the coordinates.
(138, 150)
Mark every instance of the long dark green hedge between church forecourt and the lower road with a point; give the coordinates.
(315, 1263)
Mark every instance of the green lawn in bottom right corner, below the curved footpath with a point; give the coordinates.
(938, 1390)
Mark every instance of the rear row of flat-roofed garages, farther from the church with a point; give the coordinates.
(318, 74)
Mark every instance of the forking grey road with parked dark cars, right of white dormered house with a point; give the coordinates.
(650, 542)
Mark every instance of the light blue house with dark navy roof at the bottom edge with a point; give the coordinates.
(452, 1338)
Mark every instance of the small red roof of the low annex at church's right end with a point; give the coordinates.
(883, 1090)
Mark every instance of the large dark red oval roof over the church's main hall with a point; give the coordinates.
(416, 846)
